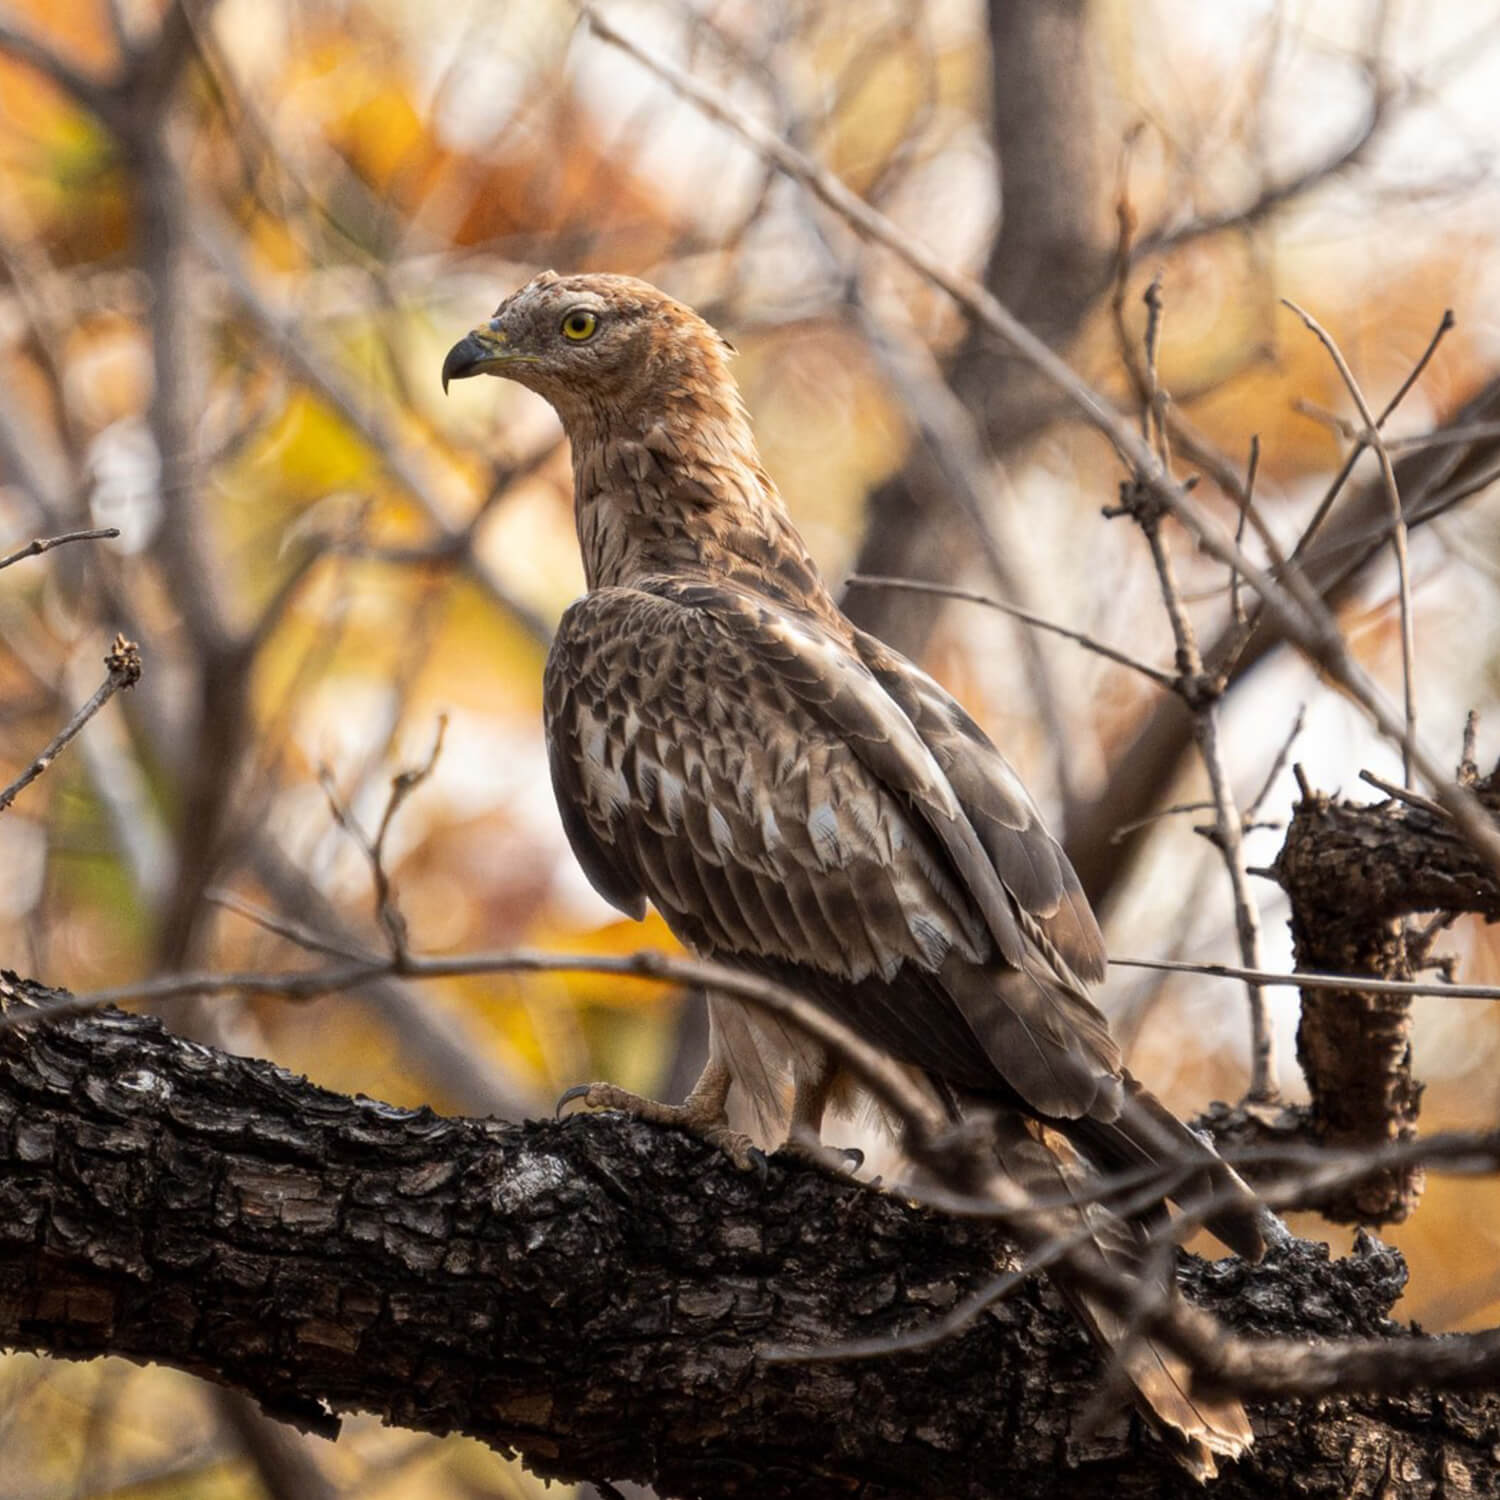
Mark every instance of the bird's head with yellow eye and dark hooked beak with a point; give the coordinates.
(593, 344)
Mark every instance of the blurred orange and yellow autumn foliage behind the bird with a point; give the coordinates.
(238, 239)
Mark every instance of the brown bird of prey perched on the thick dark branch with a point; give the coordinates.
(802, 802)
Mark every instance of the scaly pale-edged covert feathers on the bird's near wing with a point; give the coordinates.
(692, 773)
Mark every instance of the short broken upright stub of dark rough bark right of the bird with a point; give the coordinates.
(1354, 875)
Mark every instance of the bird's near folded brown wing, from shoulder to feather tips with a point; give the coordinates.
(751, 775)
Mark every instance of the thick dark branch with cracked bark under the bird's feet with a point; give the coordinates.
(593, 1295)
